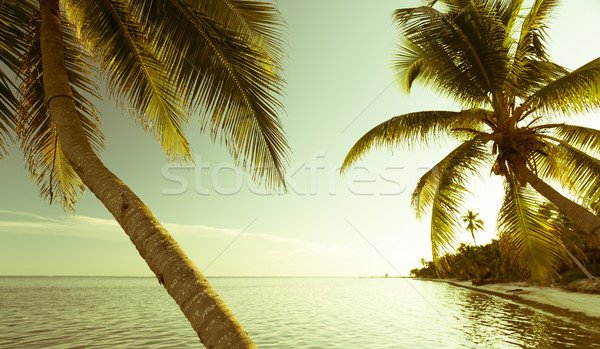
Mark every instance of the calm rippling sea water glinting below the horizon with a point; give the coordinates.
(92, 312)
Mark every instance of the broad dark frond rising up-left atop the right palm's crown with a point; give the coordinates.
(460, 53)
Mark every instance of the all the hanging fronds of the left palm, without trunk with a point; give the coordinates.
(166, 61)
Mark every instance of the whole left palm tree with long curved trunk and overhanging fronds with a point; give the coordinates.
(165, 60)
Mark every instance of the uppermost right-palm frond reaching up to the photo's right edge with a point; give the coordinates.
(577, 91)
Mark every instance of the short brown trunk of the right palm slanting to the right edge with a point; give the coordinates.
(585, 220)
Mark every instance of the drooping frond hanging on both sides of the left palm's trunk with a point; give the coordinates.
(46, 163)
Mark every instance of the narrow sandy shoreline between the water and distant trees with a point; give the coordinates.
(574, 302)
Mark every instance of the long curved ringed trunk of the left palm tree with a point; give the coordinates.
(210, 317)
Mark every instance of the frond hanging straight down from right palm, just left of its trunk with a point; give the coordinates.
(529, 240)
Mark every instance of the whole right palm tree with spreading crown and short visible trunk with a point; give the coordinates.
(490, 56)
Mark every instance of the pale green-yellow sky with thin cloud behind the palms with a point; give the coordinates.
(339, 86)
